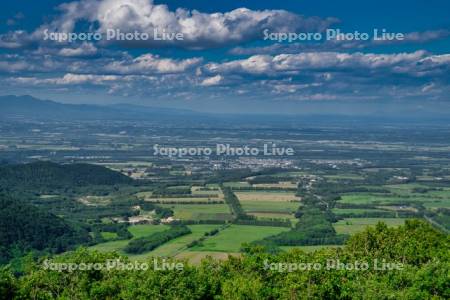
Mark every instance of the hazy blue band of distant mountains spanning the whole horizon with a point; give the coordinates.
(28, 108)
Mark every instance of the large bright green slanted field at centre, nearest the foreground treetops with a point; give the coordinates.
(231, 238)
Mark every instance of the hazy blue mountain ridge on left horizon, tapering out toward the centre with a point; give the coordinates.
(28, 107)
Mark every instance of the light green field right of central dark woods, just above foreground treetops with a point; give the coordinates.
(354, 225)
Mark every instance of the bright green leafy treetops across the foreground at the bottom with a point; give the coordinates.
(423, 251)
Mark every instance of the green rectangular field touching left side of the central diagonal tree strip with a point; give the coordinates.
(200, 211)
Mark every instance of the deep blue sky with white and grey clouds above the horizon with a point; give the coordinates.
(222, 62)
